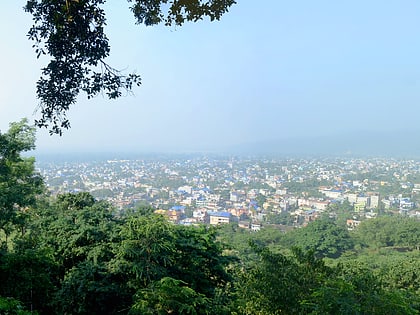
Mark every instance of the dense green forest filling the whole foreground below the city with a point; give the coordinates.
(73, 254)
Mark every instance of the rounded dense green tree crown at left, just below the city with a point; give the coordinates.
(76, 228)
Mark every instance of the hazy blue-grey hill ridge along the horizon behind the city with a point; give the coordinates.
(364, 144)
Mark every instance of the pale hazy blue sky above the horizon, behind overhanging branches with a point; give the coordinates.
(268, 70)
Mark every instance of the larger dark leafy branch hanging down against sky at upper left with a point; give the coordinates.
(72, 33)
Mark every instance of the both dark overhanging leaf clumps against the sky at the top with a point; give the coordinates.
(72, 33)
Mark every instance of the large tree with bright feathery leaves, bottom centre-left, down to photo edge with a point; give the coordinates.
(161, 261)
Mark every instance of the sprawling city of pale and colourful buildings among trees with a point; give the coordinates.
(251, 191)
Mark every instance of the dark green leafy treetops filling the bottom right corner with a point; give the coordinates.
(302, 284)
